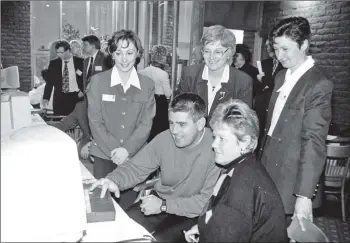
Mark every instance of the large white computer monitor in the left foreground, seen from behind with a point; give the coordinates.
(42, 196)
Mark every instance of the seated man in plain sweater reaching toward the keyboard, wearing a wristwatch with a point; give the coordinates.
(187, 172)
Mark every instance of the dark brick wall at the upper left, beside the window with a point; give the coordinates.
(16, 39)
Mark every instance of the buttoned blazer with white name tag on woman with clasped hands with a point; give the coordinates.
(117, 119)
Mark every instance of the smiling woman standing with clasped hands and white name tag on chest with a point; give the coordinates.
(121, 106)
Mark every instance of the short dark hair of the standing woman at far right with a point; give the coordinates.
(296, 28)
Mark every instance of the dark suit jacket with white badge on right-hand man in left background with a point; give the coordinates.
(101, 63)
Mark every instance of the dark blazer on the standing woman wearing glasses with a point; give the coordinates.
(239, 86)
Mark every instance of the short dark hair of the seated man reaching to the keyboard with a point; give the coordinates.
(189, 102)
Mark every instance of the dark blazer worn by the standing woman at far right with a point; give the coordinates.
(295, 154)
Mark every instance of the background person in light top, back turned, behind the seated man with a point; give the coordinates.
(162, 88)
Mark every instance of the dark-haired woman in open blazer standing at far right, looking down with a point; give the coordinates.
(294, 143)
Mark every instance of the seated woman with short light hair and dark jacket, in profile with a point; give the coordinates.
(245, 205)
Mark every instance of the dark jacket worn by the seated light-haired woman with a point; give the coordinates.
(247, 207)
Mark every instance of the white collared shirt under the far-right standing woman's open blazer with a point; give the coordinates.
(290, 81)
